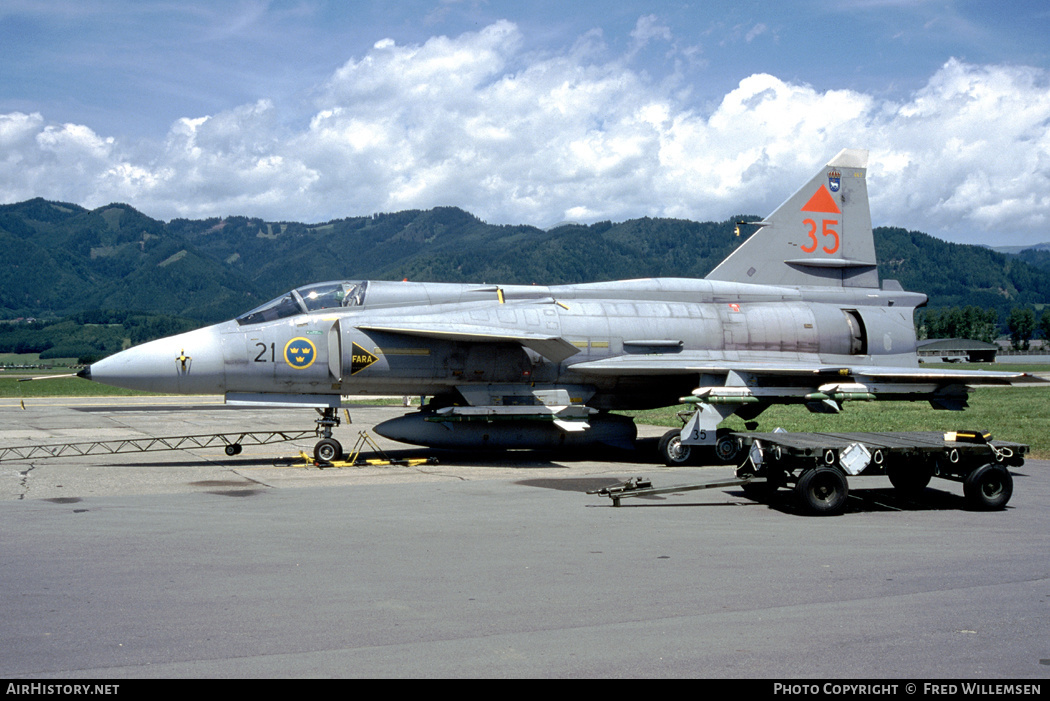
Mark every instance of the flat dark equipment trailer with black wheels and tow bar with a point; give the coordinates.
(817, 466)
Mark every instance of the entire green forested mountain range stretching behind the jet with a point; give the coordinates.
(60, 260)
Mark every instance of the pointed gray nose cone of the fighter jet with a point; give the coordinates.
(188, 364)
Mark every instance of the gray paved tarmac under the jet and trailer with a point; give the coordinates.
(197, 565)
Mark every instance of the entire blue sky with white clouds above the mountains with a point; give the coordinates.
(531, 113)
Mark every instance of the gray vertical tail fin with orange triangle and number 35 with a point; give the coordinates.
(821, 237)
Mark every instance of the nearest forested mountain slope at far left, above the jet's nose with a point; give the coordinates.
(57, 260)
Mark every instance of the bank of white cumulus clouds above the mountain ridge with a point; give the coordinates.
(477, 122)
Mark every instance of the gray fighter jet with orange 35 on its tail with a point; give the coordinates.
(795, 315)
